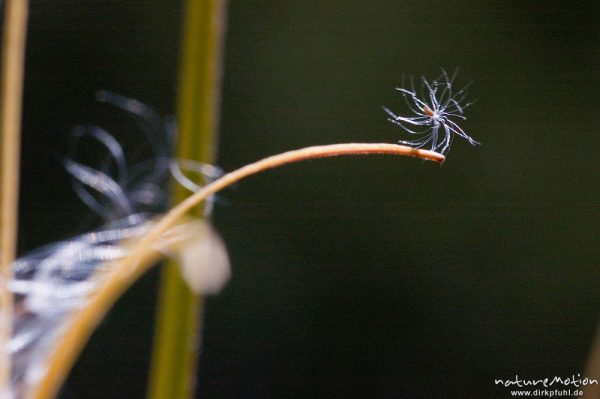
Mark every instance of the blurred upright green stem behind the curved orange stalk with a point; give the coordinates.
(177, 338)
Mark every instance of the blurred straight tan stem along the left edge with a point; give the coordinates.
(13, 56)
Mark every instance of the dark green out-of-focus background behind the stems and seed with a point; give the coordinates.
(365, 277)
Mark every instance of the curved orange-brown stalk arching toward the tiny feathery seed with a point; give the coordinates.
(143, 253)
